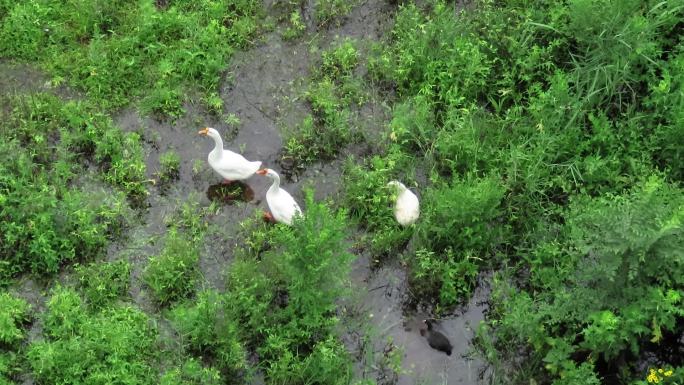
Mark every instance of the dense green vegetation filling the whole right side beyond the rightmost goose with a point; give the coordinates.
(550, 135)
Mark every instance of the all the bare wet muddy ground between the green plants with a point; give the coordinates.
(263, 89)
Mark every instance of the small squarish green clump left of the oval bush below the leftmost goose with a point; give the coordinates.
(103, 282)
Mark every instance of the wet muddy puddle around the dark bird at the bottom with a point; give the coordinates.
(382, 295)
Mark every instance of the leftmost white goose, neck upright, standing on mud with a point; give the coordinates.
(230, 165)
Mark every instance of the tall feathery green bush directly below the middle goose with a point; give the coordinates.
(284, 300)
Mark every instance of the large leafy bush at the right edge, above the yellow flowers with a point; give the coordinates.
(618, 280)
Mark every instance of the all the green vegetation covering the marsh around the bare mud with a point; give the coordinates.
(543, 138)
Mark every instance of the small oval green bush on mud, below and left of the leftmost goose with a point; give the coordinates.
(172, 274)
